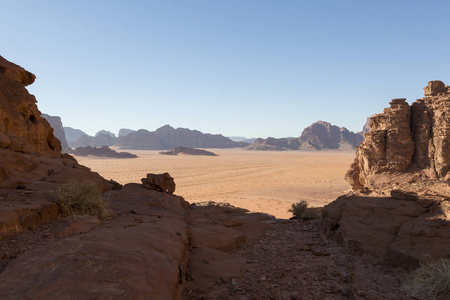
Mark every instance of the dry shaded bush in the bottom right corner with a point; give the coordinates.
(430, 281)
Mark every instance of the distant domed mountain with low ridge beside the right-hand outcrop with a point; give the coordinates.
(318, 136)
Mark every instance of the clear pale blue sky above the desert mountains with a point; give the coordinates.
(234, 67)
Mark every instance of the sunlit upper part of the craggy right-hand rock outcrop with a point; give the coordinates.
(406, 138)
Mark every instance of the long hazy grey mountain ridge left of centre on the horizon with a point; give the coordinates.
(167, 137)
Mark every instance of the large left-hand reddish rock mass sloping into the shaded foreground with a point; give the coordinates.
(142, 252)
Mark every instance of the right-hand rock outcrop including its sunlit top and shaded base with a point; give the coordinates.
(399, 210)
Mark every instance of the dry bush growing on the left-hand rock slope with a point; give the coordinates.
(78, 198)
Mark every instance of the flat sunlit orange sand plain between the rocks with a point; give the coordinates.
(259, 181)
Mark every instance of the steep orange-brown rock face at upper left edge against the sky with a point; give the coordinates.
(22, 128)
